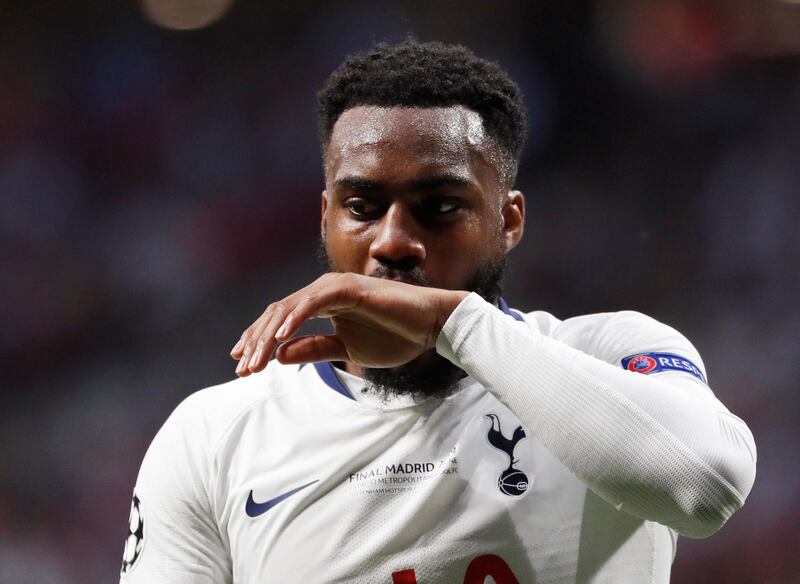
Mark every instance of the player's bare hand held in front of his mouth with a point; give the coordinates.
(376, 322)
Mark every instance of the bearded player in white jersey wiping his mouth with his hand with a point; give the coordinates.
(436, 436)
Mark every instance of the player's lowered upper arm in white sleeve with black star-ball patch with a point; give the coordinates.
(173, 535)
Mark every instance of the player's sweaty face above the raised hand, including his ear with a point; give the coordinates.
(414, 194)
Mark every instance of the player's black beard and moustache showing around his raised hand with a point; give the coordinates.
(430, 374)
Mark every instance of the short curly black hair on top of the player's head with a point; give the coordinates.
(431, 74)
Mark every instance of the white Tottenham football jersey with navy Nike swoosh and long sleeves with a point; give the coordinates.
(555, 460)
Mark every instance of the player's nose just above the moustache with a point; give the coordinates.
(398, 238)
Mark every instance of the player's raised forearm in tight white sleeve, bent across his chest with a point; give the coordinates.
(639, 442)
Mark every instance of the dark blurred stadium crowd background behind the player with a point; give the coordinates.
(160, 180)
